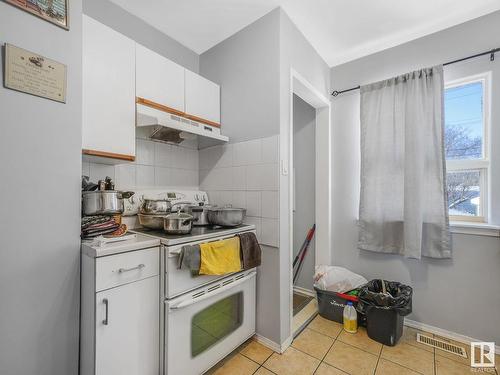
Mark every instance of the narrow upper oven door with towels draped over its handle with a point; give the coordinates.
(179, 281)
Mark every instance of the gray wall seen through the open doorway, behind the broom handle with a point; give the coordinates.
(304, 161)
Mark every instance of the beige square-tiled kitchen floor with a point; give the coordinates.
(323, 348)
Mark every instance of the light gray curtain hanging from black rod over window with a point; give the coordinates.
(403, 207)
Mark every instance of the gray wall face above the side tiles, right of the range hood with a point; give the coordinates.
(246, 65)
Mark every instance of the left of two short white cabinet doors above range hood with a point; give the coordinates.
(159, 79)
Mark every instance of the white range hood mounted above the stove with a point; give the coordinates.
(167, 127)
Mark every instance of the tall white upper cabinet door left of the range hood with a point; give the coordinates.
(108, 90)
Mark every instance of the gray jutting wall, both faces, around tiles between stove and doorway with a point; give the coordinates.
(253, 68)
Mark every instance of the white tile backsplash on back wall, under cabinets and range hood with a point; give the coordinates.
(157, 164)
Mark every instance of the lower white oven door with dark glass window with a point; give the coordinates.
(205, 325)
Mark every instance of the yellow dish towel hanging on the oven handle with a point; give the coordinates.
(220, 257)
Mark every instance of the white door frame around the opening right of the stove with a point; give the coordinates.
(323, 172)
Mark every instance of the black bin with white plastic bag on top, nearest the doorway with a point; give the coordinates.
(331, 305)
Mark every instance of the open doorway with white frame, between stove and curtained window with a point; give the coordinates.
(310, 193)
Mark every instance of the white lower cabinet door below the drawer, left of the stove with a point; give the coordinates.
(127, 329)
